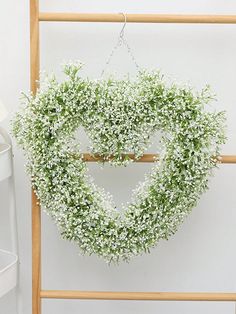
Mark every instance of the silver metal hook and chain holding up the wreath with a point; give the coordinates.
(121, 41)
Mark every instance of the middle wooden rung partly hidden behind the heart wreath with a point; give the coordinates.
(224, 159)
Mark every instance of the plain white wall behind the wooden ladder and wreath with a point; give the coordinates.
(201, 256)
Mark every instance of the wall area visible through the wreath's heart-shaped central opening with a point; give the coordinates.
(118, 181)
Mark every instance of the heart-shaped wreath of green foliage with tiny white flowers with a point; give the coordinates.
(119, 116)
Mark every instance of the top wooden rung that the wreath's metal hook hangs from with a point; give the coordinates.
(136, 18)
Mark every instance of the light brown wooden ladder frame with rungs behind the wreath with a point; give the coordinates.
(37, 293)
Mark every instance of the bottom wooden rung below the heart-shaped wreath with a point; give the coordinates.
(138, 296)
